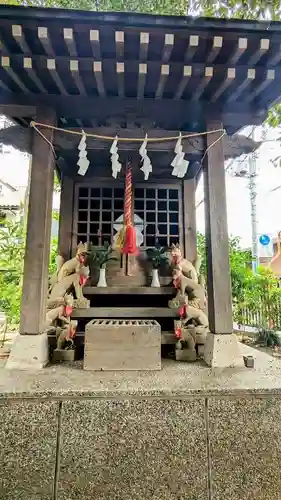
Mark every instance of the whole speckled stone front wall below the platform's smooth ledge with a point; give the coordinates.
(223, 446)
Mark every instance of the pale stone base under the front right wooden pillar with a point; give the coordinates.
(222, 351)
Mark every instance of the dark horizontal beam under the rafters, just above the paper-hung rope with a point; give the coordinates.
(167, 113)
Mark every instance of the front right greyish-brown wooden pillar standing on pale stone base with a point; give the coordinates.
(218, 276)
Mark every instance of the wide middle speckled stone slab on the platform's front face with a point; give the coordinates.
(133, 449)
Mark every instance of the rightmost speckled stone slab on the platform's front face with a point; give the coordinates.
(245, 448)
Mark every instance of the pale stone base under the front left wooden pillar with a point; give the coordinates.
(29, 352)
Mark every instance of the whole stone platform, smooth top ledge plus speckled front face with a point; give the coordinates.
(184, 433)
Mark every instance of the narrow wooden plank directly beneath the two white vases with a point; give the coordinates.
(117, 290)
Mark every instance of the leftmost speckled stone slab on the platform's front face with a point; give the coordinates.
(28, 449)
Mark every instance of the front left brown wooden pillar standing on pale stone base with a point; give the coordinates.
(39, 221)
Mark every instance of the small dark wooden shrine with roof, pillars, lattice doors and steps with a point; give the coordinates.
(187, 85)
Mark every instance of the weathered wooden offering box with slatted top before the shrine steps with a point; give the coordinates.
(122, 345)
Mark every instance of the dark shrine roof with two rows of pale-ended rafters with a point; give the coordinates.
(169, 71)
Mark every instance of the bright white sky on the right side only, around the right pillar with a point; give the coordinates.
(237, 192)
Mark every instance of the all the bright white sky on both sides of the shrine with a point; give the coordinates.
(14, 169)
